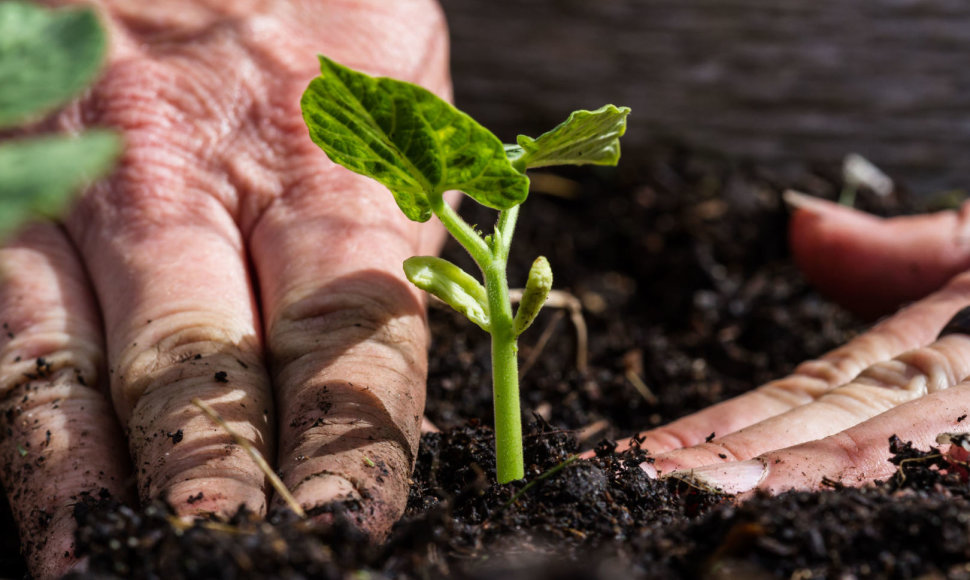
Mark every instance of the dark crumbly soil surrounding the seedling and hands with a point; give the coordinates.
(681, 265)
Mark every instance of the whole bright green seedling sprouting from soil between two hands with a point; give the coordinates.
(419, 147)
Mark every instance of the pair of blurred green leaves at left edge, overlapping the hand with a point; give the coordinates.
(46, 59)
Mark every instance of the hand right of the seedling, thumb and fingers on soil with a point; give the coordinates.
(832, 417)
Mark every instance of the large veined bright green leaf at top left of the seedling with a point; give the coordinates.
(408, 139)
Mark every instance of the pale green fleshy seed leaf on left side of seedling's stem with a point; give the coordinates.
(452, 285)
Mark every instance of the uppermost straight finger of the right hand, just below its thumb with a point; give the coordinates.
(911, 328)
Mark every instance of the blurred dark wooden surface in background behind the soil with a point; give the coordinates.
(773, 80)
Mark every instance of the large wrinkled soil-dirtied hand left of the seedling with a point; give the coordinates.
(226, 259)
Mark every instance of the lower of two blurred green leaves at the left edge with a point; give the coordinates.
(39, 175)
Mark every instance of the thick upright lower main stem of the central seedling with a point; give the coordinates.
(505, 376)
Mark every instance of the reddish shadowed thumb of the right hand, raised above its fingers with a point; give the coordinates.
(872, 265)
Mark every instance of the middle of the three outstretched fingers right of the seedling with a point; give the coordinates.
(879, 388)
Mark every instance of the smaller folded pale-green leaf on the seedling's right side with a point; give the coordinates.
(586, 137)
